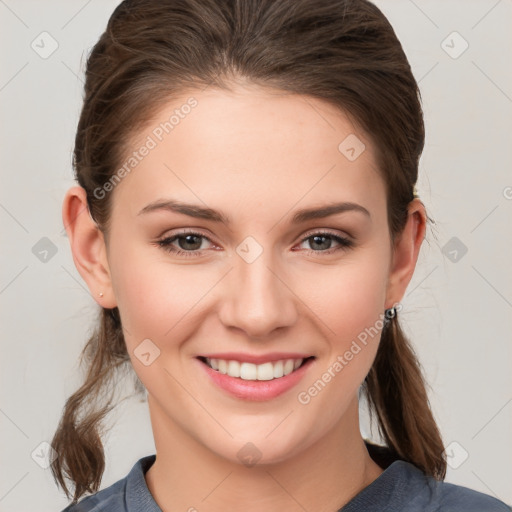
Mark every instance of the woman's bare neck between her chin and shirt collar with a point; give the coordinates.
(324, 477)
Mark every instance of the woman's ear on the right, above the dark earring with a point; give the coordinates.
(406, 251)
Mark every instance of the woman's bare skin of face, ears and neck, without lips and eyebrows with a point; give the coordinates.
(258, 156)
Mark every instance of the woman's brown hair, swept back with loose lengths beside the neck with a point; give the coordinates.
(342, 51)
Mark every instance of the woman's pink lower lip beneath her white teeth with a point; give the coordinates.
(257, 390)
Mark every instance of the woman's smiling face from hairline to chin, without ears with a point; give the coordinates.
(258, 285)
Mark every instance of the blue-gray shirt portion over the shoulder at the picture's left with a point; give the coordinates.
(119, 496)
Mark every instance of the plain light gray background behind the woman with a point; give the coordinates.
(458, 306)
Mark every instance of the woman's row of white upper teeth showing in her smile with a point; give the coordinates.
(249, 371)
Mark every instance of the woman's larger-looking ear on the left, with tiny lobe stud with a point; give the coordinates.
(87, 246)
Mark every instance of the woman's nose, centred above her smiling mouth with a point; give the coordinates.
(257, 299)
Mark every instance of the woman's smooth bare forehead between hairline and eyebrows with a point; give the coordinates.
(252, 146)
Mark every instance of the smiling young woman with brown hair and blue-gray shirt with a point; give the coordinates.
(246, 219)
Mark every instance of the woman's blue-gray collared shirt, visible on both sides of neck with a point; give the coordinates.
(402, 487)
